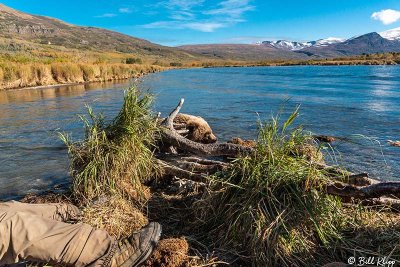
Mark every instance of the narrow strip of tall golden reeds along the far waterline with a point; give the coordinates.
(16, 74)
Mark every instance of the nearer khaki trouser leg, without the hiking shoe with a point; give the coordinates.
(24, 236)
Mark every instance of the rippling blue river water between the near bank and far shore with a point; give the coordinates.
(358, 104)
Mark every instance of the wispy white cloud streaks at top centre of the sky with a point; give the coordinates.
(194, 14)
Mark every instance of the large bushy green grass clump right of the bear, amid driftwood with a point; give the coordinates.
(267, 207)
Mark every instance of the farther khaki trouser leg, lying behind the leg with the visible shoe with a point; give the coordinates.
(57, 211)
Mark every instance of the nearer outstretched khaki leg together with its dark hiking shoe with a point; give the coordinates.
(26, 236)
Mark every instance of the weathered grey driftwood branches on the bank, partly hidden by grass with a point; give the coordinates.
(194, 161)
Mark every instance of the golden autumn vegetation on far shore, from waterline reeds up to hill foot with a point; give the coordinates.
(24, 64)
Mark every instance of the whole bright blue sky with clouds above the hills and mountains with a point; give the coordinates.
(177, 22)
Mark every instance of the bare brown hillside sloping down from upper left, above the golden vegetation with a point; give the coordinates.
(49, 31)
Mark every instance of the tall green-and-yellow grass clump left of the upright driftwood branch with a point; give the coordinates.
(115, 157)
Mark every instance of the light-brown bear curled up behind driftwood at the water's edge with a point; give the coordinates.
(199, 130)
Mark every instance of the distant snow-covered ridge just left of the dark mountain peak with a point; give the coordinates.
(294, 46)
